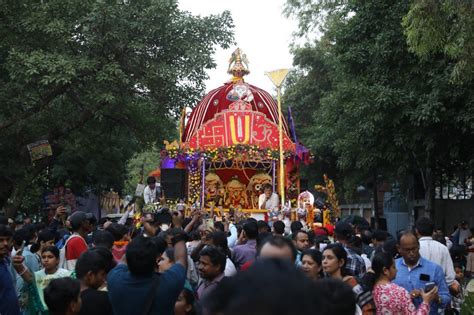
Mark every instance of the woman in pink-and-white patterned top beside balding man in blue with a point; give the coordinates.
(391, 299)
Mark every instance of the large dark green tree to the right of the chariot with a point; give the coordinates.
(386, 111)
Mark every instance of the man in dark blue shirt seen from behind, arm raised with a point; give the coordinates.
(129, 284)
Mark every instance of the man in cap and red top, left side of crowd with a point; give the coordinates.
(76, 244)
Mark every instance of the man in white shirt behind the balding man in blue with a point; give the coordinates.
(435, 251)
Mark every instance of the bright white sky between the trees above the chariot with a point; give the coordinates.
(261, 31)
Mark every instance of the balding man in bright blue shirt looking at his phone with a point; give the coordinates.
(414, 272)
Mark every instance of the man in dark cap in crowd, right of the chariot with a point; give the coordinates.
(355, 265)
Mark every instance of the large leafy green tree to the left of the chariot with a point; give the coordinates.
(100, 80)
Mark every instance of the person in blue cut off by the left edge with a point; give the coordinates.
(8, 298)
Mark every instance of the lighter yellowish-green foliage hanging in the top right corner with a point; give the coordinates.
(443, 27)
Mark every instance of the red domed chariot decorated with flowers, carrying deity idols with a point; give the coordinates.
(230, 146)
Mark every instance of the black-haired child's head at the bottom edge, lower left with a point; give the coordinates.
(62, 296)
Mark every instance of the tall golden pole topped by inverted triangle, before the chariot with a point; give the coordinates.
(277, 77)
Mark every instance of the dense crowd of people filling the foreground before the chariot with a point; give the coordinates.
(225, 265)
